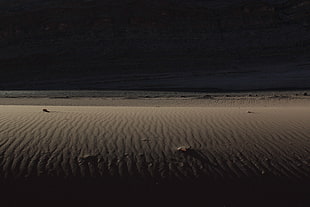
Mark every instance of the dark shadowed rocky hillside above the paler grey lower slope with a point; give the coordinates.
(73, 44)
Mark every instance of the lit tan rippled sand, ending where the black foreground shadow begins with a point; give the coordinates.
(138, 145)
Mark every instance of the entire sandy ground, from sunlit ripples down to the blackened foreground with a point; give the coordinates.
(77, 154)
